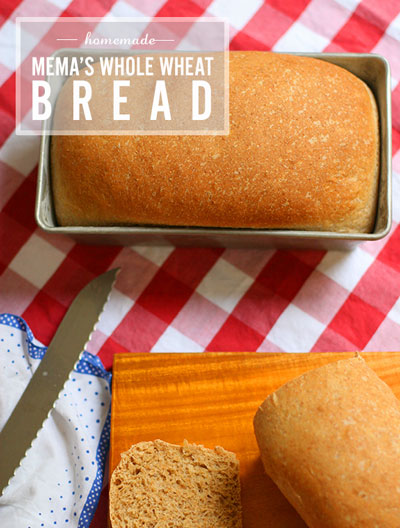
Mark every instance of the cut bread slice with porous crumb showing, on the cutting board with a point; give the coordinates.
(161, 485)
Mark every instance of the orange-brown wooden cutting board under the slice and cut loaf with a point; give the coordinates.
(210, 399)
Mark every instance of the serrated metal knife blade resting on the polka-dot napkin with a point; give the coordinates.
(42, 391)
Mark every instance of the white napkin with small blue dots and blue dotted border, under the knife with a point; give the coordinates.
(59, 481)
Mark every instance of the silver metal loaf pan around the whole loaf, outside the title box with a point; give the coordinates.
(373, 69)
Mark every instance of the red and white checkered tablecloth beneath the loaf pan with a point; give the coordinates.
(169, 299)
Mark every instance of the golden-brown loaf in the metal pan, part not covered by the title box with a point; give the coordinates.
(302, 153)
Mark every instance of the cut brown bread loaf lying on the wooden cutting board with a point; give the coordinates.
(330, 440)
